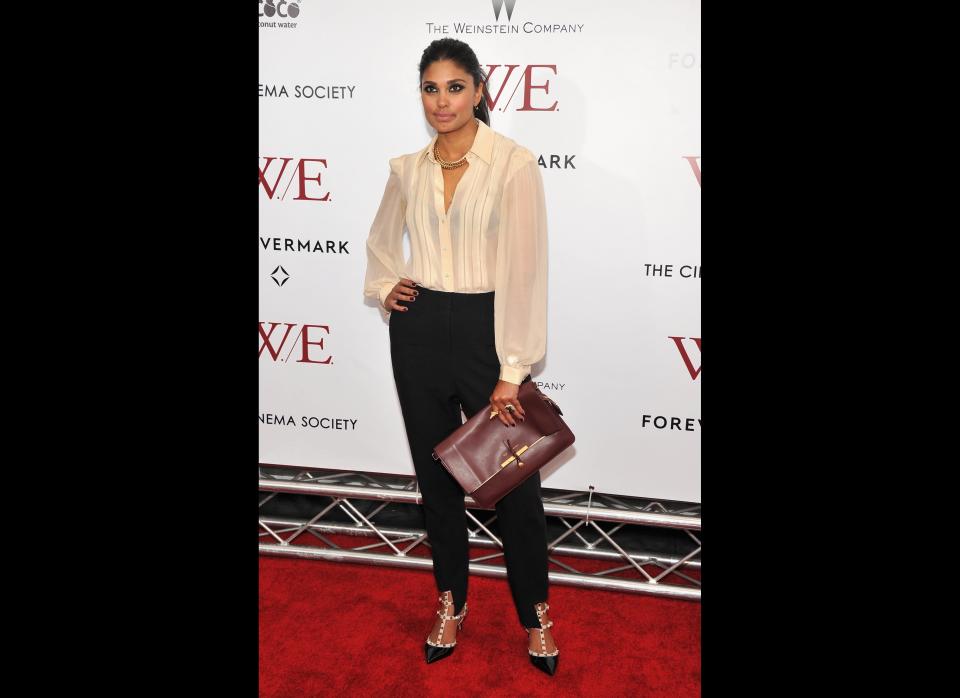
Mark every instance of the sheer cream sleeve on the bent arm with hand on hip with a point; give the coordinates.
(385, 261)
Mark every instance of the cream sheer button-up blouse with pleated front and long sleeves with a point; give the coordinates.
(493, 238)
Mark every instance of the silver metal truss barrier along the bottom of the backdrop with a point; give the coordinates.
(656, 574)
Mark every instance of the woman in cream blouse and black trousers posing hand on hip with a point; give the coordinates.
(467, 320)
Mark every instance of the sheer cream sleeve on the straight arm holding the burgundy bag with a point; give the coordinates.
(520, 303)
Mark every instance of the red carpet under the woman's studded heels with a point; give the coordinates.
(329, 628)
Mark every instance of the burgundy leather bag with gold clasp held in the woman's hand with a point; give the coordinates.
(489, 459)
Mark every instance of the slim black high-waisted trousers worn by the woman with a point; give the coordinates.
(444, 358)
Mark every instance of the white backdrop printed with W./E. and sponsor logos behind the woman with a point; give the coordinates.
(608, 95)
